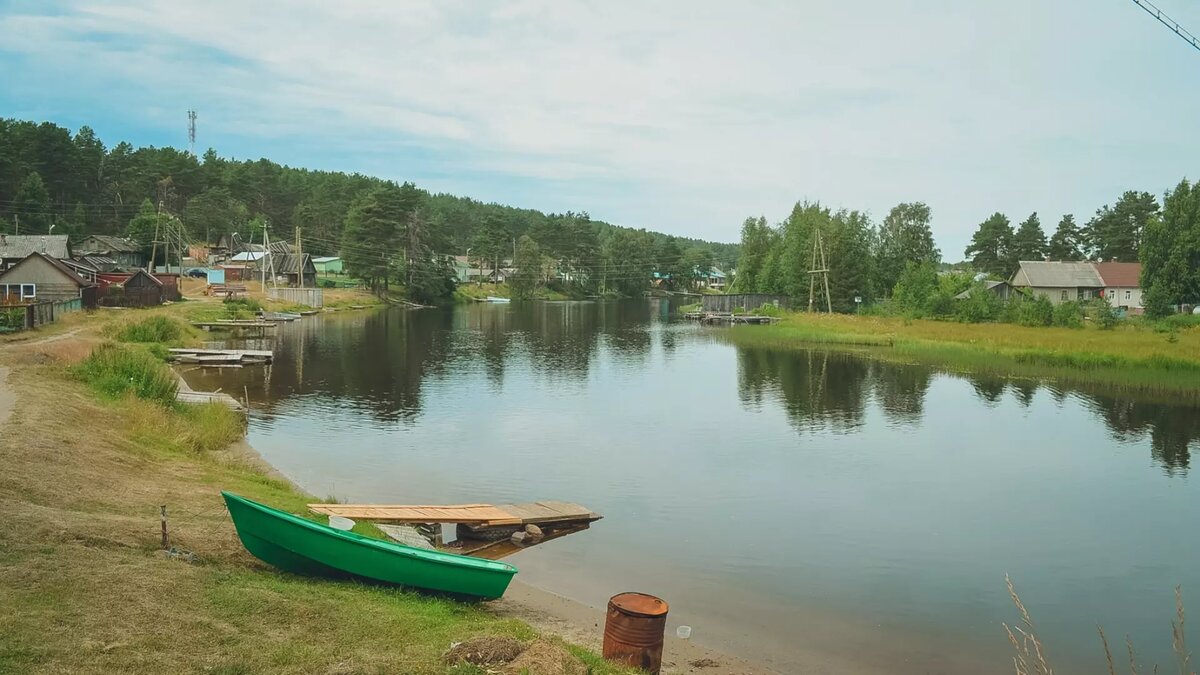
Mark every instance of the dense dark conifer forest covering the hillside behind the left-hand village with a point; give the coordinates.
(387, 232)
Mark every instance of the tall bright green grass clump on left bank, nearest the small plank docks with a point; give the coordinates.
(116, 371)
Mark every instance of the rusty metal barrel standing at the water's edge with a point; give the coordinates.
(633, 631)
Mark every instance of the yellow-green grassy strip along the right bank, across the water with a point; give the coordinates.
(1135, 356)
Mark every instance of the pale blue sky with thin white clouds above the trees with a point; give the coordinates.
(683, 117)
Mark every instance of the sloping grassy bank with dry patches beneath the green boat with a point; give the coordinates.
(93, 447)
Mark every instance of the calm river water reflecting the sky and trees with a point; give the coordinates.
(787, 504)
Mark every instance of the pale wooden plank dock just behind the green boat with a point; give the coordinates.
(481, 516)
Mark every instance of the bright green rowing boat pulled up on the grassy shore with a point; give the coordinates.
(304, 547)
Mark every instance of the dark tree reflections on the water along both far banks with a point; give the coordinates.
(380, 363)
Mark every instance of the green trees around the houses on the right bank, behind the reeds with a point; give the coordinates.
(898, 260)
